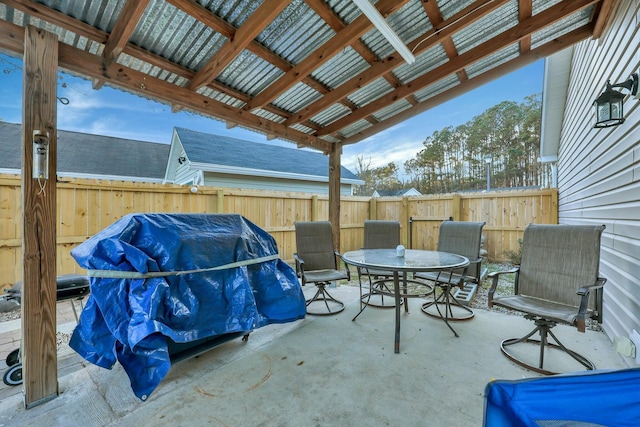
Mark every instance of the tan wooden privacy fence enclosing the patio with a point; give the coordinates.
(87, 206)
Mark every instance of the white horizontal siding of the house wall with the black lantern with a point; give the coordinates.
(599, 169)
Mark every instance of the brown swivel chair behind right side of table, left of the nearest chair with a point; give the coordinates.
(461, 238)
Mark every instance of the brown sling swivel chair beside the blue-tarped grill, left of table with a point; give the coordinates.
(317, 262)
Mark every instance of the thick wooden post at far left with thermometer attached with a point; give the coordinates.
(39, 354)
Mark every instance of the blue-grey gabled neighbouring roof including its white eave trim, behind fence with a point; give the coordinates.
(215, 153)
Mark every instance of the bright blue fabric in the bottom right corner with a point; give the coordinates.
(607, 398)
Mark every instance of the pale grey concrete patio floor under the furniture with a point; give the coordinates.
(314, 372)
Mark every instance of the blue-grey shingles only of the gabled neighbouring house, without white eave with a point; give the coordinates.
(210, 149)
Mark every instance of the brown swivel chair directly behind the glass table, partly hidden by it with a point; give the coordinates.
(380, 234)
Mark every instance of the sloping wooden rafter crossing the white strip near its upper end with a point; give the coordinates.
(328, 50)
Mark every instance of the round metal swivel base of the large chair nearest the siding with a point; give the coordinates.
(543, 327)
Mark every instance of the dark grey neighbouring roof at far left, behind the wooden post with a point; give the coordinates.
(91, 156)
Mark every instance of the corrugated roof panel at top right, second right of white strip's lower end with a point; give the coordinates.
(484, 29)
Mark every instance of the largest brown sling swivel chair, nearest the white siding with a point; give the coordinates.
(553, 284)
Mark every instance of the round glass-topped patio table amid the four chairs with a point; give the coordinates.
(413, 261)
